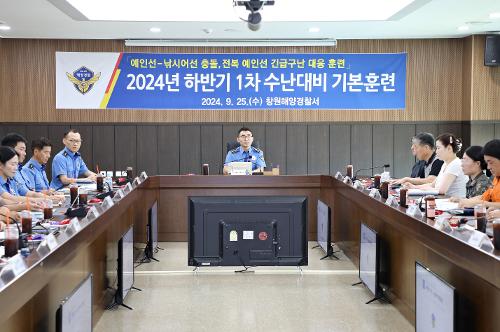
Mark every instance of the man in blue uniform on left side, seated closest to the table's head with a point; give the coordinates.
(68, 164)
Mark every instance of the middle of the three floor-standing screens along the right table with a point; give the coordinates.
(369, 259)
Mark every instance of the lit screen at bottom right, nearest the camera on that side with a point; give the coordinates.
(435, 302)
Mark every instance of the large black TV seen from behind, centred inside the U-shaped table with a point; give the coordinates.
(247, 230)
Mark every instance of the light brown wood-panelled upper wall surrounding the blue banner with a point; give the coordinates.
(435, 84)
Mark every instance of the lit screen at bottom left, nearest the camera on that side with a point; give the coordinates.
(75, 311)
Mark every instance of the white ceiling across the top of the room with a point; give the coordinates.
(421, 19)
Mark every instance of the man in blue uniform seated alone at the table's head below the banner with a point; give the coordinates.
(245, 152)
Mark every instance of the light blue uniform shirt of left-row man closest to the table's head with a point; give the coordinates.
(69, 164)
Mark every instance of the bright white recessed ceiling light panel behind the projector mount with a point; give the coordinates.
(222, 10)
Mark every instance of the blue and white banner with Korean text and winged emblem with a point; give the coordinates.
(230, 81)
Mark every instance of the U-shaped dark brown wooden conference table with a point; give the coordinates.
(30, 300)
